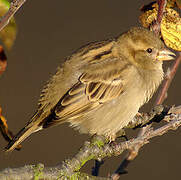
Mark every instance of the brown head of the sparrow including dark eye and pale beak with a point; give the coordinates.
(144, 49)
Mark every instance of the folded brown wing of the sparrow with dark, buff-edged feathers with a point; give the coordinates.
(99, 83)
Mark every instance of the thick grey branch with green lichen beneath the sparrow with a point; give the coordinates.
(97, 148)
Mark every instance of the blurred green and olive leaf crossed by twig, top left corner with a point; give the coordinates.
(8, 34)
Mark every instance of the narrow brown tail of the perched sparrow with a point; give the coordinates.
(22, 135)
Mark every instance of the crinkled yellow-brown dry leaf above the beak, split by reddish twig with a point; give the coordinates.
(170, 25)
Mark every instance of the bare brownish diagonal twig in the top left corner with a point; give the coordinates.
(14, 6)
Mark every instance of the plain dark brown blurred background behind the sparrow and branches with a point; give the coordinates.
(48, 31)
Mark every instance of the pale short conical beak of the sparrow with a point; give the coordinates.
(165, 55)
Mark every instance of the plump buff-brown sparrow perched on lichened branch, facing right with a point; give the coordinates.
(101, 86)
